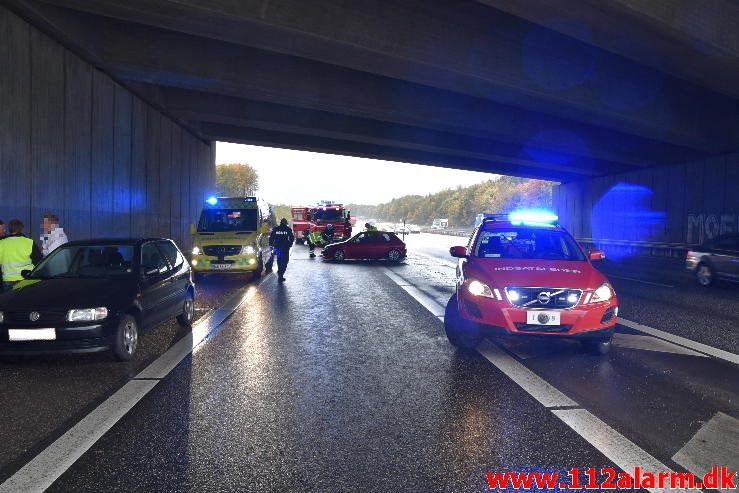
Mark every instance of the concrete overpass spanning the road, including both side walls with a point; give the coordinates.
(631, 104)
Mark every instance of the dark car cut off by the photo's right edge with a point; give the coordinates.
(716, 259)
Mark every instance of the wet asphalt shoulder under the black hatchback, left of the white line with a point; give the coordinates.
(42, 396)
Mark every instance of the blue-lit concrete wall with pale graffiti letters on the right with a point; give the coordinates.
(686, 203)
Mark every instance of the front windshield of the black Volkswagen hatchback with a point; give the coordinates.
(86, 261)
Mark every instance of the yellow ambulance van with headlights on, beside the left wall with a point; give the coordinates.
(232, 236)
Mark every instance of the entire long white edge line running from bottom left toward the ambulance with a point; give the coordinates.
(54, 460)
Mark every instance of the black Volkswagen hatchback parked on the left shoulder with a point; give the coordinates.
(97, 295)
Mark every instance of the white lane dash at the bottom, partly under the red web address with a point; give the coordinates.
(619, 449)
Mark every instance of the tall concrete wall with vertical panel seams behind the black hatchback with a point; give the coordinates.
(75, 143)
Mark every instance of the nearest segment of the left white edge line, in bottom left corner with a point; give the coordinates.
(54, 460)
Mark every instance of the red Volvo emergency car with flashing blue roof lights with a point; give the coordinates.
(524, 277)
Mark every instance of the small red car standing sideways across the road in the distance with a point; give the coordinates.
(367, 245)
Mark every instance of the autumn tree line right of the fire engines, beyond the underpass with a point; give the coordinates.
(462, 204)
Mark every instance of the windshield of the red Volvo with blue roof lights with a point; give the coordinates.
(527, 244)
